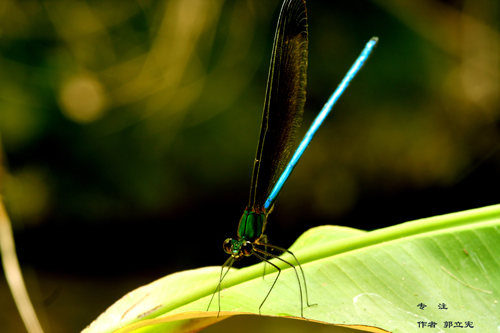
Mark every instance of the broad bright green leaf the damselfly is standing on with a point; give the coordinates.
(366, 280)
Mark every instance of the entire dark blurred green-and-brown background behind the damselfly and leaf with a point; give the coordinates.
(129, 129)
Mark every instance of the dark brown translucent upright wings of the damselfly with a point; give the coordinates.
(284, 103)
